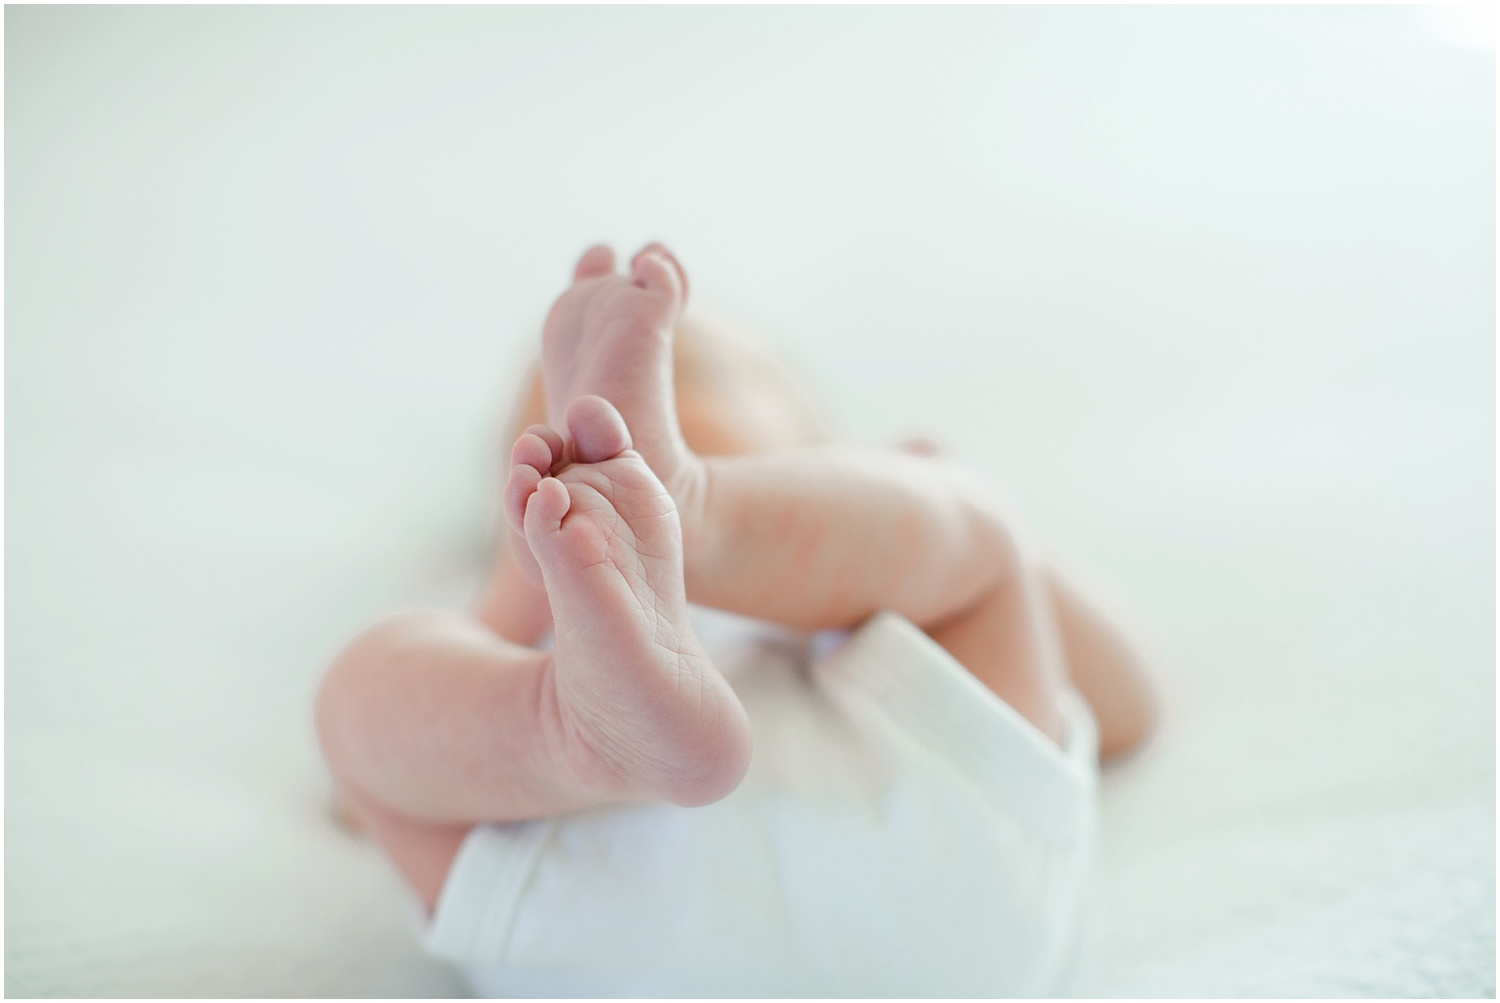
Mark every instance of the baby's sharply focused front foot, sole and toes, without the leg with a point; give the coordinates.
(643, 711)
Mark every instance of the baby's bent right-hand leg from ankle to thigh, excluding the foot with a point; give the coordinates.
(829, 537)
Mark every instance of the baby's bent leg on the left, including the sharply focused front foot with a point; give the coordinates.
(437, 719)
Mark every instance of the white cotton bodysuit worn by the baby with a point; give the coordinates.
(901, 833)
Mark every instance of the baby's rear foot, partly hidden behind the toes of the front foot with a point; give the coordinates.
(611, 335)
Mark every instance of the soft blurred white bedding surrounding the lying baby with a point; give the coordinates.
(1210, 290)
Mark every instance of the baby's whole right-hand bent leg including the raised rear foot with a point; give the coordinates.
(821, 537)
